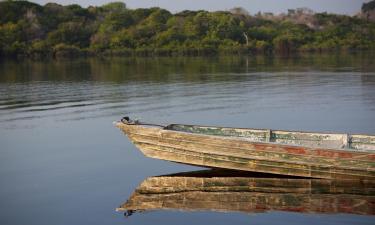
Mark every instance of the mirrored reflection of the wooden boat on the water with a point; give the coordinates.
(228, 191)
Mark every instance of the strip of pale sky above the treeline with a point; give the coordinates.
(349, 7)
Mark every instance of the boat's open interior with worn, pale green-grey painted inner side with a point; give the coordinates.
(355, 142)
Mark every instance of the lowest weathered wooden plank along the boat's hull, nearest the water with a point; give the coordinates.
(212, 160)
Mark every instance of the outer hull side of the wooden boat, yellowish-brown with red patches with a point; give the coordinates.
(240, 154)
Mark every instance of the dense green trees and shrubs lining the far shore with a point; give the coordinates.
(53, 30)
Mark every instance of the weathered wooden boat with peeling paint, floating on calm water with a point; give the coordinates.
(306, 154)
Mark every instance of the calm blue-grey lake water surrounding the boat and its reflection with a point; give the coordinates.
(62, 161)
